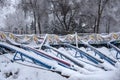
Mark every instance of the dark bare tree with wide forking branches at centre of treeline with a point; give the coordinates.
(64, 15)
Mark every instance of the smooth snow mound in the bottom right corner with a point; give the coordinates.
(105, 75)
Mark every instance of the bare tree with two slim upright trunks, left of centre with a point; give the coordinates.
(38, 10)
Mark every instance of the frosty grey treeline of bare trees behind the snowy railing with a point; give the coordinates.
(62, 16)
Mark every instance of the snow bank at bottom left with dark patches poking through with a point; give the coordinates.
(14, 71)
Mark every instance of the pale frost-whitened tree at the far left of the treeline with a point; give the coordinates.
(16, 20)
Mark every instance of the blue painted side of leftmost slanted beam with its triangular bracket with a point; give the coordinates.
(23, 53)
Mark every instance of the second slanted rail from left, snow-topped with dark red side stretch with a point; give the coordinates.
(43, 54)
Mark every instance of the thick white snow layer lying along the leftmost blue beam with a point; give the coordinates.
(52, 63)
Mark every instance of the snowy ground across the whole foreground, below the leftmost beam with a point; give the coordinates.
(15, 71)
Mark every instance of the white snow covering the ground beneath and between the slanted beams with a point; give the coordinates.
(19, 70)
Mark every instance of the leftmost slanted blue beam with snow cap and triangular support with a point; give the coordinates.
(35, 58)
